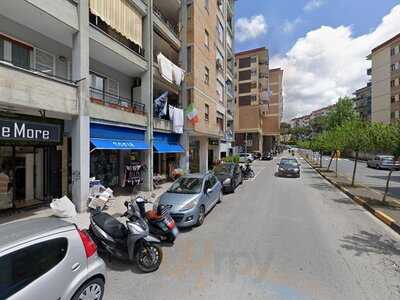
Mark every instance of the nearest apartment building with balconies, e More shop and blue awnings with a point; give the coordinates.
(77, 83)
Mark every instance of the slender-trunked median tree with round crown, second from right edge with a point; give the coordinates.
(356, 137)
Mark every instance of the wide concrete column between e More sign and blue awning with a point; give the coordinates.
(80, 133)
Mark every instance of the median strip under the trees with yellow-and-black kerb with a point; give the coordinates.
(388, 212)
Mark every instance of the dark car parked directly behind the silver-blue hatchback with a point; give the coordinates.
(230, 176)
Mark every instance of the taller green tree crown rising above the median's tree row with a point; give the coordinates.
(342, 112)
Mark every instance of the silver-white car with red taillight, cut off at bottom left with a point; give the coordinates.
(48, 258)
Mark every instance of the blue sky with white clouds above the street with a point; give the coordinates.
(321, 44)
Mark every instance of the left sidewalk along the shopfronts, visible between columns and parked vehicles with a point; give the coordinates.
(116, 209)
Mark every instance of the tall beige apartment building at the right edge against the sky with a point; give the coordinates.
(385, 89)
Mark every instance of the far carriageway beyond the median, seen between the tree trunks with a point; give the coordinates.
(375, 179)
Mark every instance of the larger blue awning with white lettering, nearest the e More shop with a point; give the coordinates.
(107, 137)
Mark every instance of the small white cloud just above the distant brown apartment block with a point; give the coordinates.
(250, 28)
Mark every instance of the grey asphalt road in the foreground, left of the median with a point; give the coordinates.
(275, 238)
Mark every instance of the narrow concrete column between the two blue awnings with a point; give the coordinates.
(147, 92)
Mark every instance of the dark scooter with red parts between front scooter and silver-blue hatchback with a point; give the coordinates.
(160, 222)
